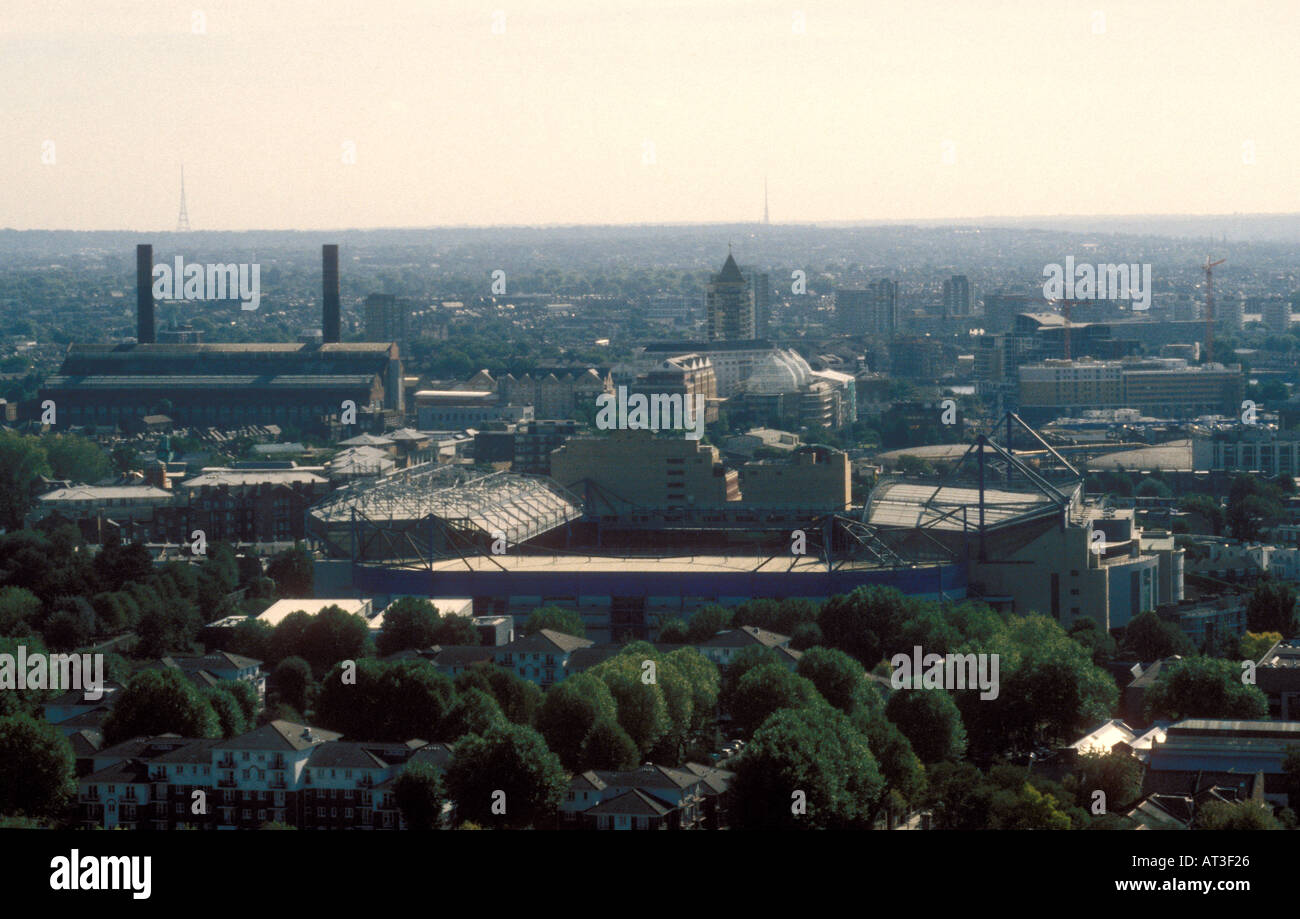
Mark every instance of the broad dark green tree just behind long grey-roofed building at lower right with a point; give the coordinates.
(1204, 688)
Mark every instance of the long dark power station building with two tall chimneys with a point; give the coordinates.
(224, 385)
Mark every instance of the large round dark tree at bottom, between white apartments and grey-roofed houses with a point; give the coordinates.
(506, 770)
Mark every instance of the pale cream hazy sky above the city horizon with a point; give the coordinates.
(642, 111)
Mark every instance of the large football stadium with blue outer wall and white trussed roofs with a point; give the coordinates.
(514, 543)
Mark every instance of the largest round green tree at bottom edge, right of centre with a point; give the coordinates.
(807, 770)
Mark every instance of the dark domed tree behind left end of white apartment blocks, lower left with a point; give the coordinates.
(159, 703)
